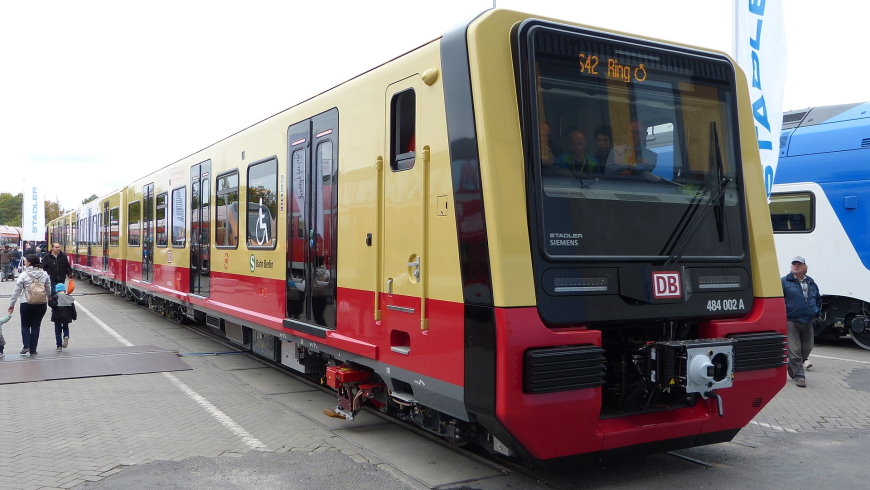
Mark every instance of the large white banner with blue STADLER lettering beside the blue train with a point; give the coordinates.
(760, 50)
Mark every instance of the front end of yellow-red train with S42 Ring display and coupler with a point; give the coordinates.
(637, 305)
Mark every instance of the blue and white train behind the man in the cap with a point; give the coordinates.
(818, 211)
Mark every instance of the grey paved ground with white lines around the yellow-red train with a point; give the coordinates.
(232, 421)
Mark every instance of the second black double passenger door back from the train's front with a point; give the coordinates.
(200, 195)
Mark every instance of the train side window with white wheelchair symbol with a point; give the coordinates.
(262, 204)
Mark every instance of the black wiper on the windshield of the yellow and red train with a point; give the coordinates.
(697, 211)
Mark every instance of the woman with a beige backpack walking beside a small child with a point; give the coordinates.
(36, 286)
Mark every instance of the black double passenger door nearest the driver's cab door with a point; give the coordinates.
(312, 220)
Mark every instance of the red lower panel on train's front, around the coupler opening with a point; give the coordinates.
(568, 423)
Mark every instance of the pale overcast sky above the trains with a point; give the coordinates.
(96, 93)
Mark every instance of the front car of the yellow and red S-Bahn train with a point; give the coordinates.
(408, 239)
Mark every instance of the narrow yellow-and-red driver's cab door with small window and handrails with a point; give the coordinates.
(401, 248)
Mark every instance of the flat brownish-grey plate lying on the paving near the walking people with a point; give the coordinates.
(87, 363)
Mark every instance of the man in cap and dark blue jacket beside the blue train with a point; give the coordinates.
(802, 304)
